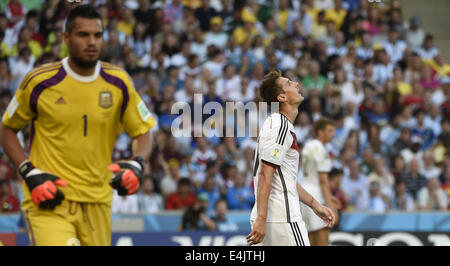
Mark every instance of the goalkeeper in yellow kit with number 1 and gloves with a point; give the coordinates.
(76, 107)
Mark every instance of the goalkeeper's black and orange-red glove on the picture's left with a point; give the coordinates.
(42, 186)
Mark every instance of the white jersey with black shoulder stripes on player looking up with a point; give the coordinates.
(277, 145)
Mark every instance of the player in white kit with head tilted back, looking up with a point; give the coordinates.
(276, 218)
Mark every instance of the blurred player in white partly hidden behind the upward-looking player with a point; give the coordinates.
(316, 164)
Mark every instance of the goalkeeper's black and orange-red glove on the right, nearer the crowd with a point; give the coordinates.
(127, 175)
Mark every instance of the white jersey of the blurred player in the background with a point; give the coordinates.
(315, 159)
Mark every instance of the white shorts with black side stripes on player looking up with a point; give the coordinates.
(285, 234)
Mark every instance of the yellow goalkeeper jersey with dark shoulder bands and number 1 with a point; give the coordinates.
(74, 124)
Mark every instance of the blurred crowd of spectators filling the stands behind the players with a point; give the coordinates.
(376, 73)
